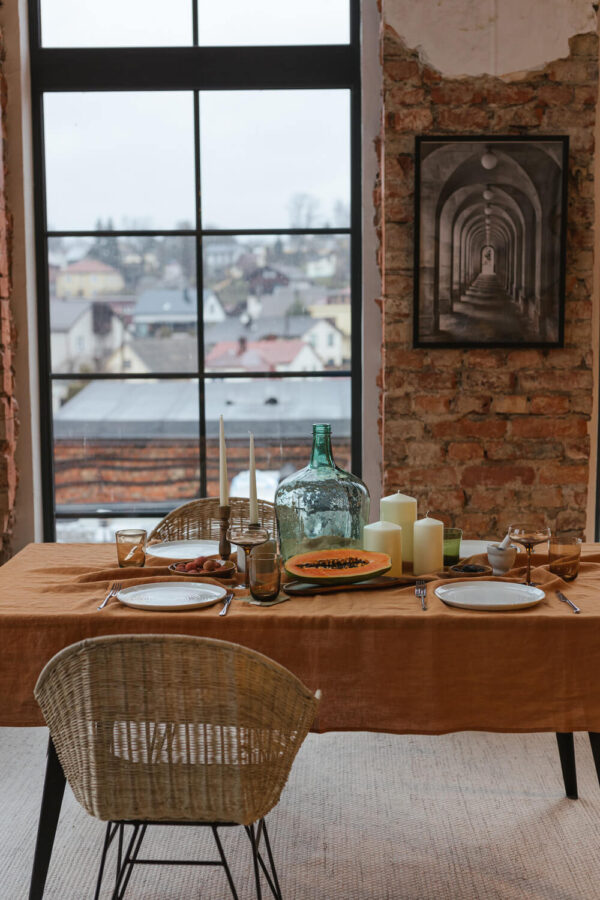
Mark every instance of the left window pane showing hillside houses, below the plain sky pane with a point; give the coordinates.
(124, 304)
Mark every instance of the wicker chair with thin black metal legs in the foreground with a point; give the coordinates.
(172, 729)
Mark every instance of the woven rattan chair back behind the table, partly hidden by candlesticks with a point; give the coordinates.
(200, 519)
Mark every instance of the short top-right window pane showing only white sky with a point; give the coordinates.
(239, 22)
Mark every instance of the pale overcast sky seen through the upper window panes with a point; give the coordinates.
(129, 156)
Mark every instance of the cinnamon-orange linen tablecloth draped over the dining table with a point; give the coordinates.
(381, 662)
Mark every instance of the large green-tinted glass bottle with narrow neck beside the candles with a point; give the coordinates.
(321, 506)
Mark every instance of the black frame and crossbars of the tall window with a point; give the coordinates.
(196, 69)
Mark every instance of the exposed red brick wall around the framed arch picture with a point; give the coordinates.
(481, 437)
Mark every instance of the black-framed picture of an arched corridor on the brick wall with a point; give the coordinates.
(490, 234)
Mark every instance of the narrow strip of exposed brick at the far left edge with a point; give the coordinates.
(8, 404)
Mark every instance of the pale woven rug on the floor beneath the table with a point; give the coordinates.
(364, 817)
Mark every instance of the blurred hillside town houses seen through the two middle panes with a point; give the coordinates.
(271, 307)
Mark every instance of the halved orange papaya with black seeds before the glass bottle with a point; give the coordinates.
(337, 566)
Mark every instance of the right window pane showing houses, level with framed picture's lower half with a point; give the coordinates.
(286, 300)
